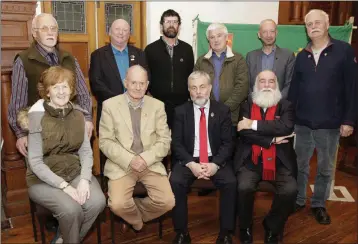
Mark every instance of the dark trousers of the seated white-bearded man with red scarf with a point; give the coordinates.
(283, 201)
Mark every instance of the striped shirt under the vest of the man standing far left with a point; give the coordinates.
(19, 90)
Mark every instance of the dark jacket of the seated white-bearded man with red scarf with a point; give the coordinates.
(283, 125)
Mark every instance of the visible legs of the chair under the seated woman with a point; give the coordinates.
(42, 214)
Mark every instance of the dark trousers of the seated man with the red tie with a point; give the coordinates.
(182, 178)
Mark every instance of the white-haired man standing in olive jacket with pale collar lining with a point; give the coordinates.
(227, 70)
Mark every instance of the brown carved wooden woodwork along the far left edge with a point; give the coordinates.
(16, 36)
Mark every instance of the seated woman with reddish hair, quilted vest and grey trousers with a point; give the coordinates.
(60, 159)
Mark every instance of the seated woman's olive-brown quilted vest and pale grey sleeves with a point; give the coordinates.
(58, 146)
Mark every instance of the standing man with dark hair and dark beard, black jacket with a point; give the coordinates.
(170, 62)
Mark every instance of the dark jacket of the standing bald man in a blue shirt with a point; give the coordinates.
(104, 76)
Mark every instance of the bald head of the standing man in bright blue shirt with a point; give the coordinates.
(120, 33)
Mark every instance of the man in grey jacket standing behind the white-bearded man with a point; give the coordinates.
(271, 57)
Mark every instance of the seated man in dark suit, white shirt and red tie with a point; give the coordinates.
(202, 149)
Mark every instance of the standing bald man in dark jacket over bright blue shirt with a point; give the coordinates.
(109, 64)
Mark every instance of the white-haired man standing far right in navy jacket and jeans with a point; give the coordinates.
(323, 91)
